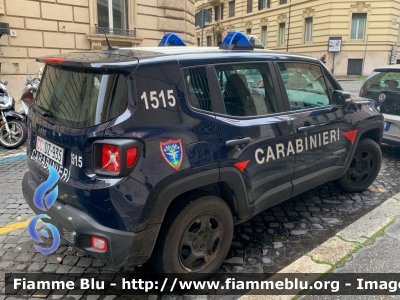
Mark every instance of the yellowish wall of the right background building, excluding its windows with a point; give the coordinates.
(330, 18)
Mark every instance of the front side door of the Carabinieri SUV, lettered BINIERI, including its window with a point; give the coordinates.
(321, 148)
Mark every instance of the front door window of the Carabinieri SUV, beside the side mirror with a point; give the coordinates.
(305, 85)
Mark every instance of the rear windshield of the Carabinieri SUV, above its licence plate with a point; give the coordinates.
(80, 99)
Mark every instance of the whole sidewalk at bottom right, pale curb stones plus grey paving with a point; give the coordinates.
(369, 245)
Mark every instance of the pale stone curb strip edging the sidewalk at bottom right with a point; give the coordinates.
(327, 256)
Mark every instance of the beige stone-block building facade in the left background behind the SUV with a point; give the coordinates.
(45, 27)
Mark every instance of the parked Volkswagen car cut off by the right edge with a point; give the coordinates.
(383, 86)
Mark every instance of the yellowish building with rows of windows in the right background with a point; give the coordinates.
(369, 30)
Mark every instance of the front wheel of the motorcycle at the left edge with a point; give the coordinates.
(19, 138)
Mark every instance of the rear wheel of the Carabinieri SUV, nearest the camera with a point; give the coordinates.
(196, 238)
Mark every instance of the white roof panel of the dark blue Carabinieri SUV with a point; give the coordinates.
(126, 59)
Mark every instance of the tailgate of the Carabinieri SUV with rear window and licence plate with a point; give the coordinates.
(72, 109)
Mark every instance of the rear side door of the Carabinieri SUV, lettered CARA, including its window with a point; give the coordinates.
(252, 134)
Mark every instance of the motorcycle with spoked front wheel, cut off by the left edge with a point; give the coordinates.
(13, 131)
